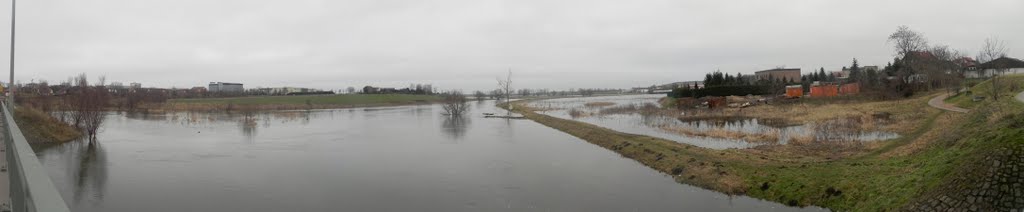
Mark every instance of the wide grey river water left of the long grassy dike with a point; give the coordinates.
(375, 159)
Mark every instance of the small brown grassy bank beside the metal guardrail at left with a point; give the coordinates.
(41, 129)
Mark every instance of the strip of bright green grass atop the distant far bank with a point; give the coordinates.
(340, 100)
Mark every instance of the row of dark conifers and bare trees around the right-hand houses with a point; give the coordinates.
(917, 67)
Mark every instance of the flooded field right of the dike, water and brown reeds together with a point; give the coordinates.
(642, 115)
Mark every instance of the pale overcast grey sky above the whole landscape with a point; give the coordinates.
(466, 45)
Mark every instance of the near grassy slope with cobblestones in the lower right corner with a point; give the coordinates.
(982, 158)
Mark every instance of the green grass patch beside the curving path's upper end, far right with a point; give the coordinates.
(966, 100)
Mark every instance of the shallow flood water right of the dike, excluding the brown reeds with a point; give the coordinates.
(652, 125)
